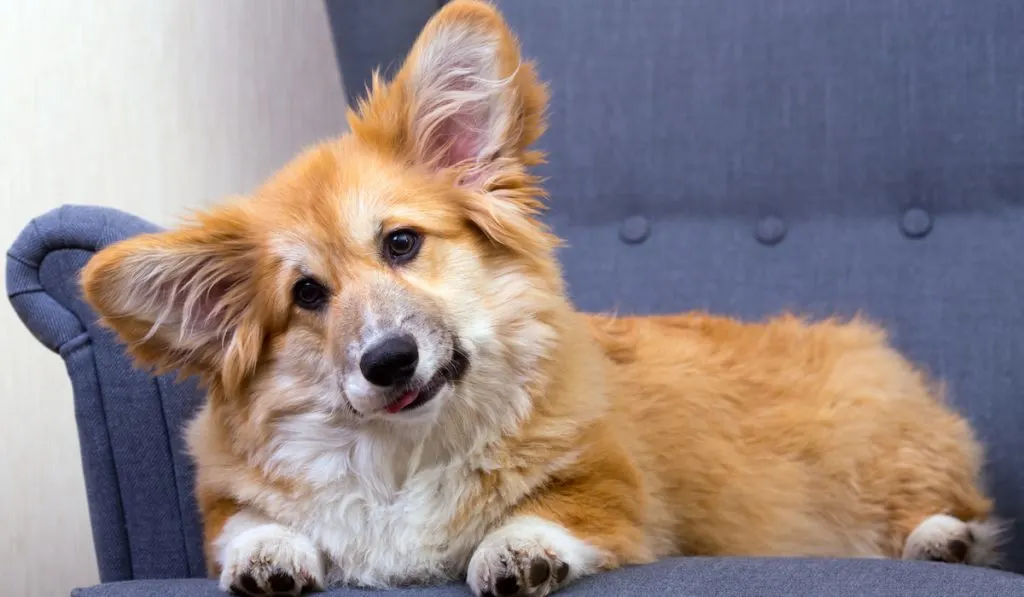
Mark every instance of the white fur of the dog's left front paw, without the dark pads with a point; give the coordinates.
(253, 545)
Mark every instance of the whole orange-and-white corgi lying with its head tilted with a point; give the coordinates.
(401, 393)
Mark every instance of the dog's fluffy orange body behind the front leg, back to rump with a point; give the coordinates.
(790, 439)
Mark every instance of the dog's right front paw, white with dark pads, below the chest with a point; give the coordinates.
(529, 558)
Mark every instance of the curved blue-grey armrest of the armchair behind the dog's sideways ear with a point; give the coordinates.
(139, 480)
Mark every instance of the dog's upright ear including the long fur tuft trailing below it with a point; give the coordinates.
(465, 106)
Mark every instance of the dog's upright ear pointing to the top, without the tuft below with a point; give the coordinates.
(463, 99)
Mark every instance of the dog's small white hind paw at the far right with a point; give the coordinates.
(931, 540)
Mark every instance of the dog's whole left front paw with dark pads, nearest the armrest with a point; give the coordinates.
(271, 560)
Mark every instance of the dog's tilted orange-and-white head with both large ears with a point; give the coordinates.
(383, 279)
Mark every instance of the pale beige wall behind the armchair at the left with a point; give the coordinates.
(152, 107)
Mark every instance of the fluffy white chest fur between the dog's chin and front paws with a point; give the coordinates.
(387, 516)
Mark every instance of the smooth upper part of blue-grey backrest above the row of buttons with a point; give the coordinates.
(806, 108)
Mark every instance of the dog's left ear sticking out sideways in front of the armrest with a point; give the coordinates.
(183, 300)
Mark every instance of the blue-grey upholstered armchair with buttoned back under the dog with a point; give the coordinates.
(745, 157)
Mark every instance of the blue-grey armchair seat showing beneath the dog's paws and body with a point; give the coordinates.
(705, 578)
